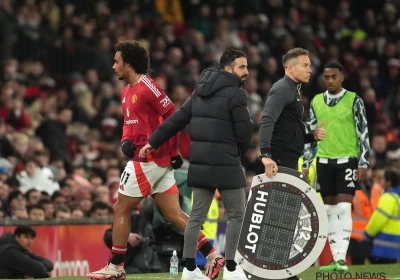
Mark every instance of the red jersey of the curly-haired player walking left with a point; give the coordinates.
(145, 107)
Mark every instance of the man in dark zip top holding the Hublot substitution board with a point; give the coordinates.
(282, 133)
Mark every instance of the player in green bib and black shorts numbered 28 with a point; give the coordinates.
(342, 158)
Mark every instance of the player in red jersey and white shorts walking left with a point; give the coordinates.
(145, 106)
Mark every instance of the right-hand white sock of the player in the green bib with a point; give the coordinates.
(344, 230)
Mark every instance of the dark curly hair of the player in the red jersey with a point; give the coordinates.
(133, 53)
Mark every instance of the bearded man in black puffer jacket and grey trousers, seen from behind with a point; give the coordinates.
(220, 130)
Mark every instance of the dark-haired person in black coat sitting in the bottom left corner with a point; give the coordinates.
(16, 261)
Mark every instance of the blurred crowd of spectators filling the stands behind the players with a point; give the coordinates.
(60, 114)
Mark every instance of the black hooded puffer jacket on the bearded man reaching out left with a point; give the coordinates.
(220, 131)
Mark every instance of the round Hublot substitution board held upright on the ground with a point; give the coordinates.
(284, 229)
